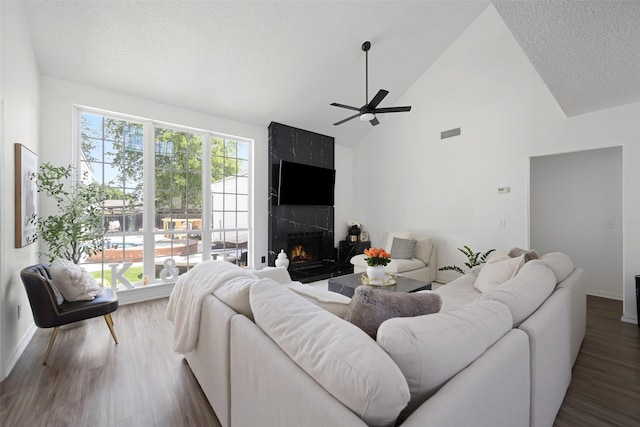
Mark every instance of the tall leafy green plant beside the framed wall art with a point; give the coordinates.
(76, 229)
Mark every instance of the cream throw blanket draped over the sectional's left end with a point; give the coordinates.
(185, 302)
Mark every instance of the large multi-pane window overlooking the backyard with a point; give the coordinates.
(176, 196)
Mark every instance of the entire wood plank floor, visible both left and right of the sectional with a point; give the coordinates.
(90, 381)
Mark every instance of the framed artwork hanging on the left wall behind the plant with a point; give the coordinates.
(26, 194)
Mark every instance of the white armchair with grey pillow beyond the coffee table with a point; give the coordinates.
(421, 266)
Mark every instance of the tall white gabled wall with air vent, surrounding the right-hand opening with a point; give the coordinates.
(407, 178)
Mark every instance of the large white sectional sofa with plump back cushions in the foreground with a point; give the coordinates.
(498, 358)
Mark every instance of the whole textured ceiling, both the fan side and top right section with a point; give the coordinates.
(264, 61)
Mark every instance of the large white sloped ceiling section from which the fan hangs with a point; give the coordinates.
(255, 62)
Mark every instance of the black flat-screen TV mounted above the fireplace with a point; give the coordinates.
(301, 184)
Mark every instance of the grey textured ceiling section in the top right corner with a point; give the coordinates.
(587, 52)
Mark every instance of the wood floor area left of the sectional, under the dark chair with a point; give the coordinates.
(91, 381)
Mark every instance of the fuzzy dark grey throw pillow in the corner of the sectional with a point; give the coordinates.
(369, 307)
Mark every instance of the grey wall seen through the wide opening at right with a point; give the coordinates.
(576, 208)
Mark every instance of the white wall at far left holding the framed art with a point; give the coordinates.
(21, 101)
